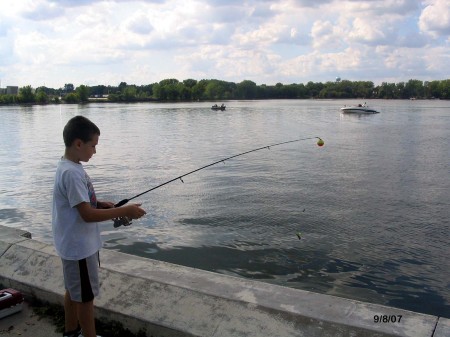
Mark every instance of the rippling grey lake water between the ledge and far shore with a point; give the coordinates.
(373, 204)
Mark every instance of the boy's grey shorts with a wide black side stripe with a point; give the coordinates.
(81, 278)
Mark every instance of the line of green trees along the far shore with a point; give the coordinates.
(213, 89)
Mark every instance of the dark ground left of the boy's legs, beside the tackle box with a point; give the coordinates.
(27, 323)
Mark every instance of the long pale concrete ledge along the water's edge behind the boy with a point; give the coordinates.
(171, 300)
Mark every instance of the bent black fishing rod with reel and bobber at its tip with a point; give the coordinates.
(126, 222)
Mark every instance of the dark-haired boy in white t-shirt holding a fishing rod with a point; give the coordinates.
(75, 216)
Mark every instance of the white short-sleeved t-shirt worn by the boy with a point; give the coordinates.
(74, 238)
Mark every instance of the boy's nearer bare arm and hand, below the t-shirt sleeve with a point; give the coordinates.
(90, 214)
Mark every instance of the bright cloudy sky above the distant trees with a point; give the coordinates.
(55, 42)
